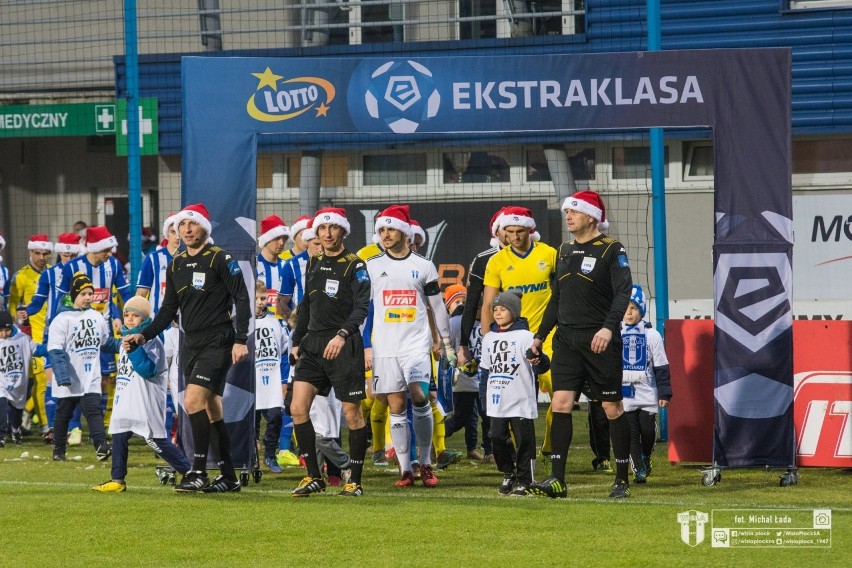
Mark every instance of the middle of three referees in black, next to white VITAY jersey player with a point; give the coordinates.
(329, 349)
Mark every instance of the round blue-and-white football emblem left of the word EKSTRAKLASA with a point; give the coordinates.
(403, 95)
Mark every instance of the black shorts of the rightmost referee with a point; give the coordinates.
(575, 367)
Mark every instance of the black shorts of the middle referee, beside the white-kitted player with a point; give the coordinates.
(345, 372)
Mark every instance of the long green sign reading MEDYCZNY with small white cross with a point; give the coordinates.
(77, 119)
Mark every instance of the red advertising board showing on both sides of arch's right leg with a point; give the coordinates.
(822, 411)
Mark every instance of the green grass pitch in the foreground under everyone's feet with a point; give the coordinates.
(49, 516)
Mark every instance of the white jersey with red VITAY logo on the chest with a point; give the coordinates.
(400, 320)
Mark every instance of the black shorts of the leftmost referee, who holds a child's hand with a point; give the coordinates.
(208, 358)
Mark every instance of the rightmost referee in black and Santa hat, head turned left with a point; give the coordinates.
(593, 284)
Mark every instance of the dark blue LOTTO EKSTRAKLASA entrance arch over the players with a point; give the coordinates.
(742, 94)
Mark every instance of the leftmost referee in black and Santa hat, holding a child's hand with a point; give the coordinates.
(203, 283)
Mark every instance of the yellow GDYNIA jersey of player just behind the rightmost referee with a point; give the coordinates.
(529, 273)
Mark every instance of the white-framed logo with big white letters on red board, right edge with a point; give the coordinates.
(823, 406)
